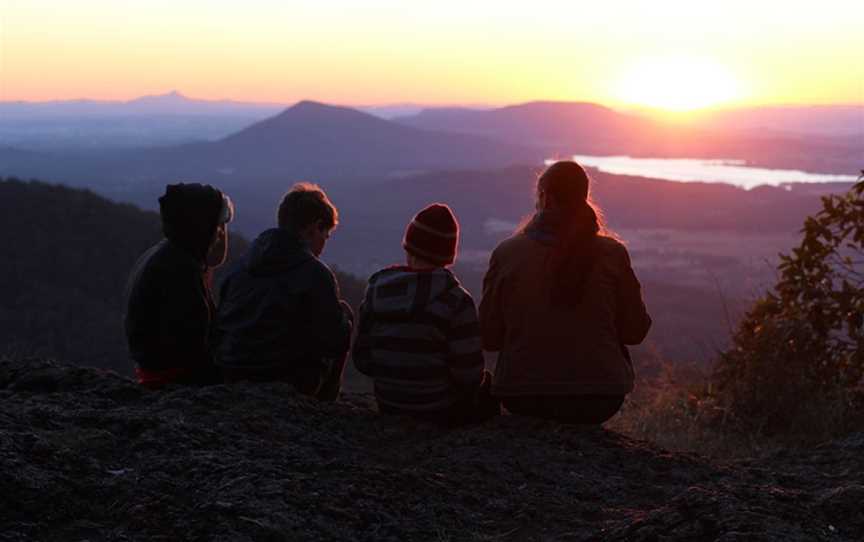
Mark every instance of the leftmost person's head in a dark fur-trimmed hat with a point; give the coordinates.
(195, 217)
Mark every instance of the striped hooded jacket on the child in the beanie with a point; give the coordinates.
(419, 339)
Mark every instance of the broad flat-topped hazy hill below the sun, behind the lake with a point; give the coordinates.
(565, 128)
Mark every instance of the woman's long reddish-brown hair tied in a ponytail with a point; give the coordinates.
(563, 189)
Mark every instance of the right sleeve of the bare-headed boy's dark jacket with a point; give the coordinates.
(329, 317)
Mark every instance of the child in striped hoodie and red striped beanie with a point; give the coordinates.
(418, 333)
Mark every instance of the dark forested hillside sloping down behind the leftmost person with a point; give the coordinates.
(67, 255)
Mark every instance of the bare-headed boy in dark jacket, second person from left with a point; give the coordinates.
(280, 315)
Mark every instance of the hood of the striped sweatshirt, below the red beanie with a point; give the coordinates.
(398, 293)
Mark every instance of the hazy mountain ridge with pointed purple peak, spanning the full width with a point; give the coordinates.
(311, 140)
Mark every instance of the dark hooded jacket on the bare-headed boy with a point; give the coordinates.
(280, 309)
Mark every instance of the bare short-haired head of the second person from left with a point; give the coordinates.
(307, 212)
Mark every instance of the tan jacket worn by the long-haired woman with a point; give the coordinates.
(560, 350)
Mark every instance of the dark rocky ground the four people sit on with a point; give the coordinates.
(87, 455)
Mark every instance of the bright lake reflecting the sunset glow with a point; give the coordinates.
(693, 169)
